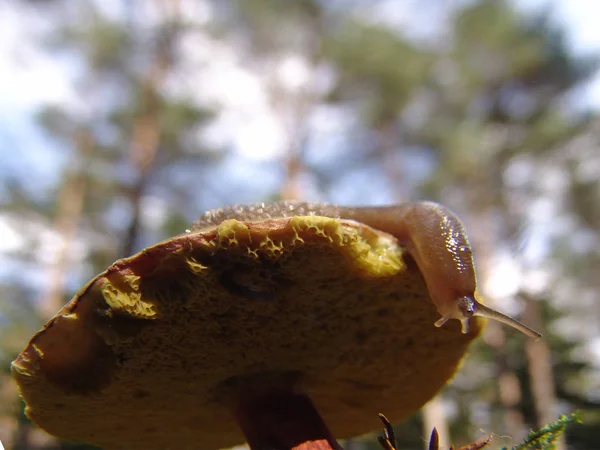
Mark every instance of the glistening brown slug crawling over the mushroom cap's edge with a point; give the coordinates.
(434, 237)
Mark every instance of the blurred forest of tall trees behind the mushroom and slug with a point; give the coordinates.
(173, 107)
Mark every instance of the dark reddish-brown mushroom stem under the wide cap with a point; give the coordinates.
(283, 421)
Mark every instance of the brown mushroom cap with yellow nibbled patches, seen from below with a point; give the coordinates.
(154, 352)
